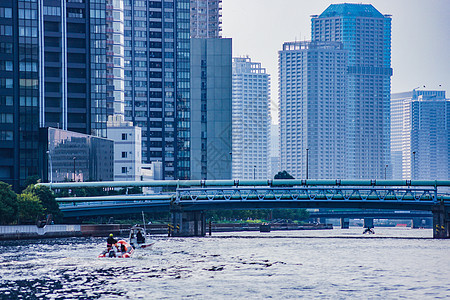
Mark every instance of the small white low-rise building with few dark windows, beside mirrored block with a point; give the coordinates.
(127, 149)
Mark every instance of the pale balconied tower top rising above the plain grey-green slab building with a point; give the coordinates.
(206, 18)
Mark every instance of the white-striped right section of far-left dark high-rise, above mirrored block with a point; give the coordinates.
(74, 61)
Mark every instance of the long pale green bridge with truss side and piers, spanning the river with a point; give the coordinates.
(191, 198)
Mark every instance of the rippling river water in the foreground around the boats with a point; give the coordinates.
(328, 264)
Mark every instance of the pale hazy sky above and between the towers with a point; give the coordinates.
(420, 35)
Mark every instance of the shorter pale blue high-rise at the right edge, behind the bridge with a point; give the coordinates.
(420, 137)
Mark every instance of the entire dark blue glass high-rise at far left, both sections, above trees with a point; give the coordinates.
(53, 73)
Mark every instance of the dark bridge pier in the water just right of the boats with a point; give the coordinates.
(188, 223)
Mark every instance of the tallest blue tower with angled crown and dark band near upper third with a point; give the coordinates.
(366, 34)
